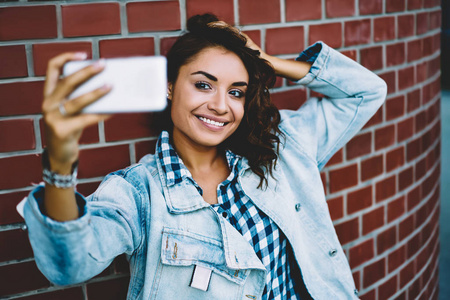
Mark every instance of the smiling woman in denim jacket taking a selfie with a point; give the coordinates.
(231, 206)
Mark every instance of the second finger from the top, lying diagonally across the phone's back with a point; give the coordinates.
(71, 82)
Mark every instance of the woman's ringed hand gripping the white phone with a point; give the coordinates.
(64, 125)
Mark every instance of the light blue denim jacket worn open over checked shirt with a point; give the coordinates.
(166, 231)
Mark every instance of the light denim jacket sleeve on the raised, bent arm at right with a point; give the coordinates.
(353, 94)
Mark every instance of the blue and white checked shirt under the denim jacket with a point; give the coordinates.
(258, 229)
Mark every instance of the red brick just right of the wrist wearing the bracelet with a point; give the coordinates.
(101, 161)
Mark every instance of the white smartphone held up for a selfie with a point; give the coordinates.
(139, 84)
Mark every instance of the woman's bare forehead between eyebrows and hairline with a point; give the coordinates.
(218, 62)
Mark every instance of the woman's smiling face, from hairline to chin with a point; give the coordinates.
(208, 98)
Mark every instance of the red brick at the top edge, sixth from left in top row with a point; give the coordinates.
(299, 10)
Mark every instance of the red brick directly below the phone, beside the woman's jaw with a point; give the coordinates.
(138, 125)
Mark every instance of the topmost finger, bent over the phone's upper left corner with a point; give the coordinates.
(54, 69)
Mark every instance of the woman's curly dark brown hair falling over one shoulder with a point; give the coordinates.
(257, 137)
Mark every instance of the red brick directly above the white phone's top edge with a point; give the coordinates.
(127, 47)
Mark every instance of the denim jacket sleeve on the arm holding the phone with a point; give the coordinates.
(75, 251)
